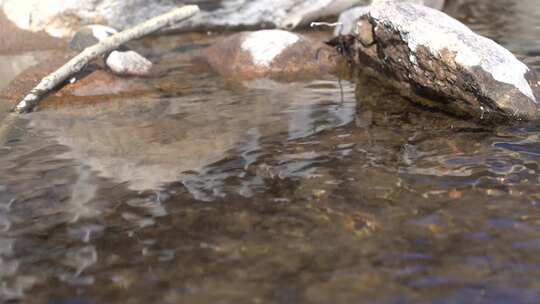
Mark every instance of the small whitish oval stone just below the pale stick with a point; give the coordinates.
(128, 63)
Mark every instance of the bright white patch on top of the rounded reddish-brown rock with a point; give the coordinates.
(264, 46)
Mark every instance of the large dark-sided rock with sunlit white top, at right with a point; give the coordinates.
(442, 63)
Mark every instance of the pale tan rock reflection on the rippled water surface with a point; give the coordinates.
(155, 142)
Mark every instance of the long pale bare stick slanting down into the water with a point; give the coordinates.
(106, 45)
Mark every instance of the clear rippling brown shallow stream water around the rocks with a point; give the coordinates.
(205, 190)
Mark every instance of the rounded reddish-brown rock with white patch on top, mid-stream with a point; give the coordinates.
(271, 53)
